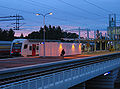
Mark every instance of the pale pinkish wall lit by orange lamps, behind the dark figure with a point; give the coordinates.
(55, 48)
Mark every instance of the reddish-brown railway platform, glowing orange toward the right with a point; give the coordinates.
(27, 61)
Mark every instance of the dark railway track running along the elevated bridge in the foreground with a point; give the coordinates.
(57, 67)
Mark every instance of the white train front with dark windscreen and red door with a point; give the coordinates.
(24, 47)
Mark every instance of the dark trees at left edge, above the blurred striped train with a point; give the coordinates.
(6, 35)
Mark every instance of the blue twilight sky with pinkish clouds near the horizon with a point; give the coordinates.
(68, 14)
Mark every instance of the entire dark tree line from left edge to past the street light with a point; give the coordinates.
(51, 33)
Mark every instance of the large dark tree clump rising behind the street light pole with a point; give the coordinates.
(51, 33)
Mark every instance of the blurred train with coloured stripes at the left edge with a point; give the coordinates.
(5, 47)
